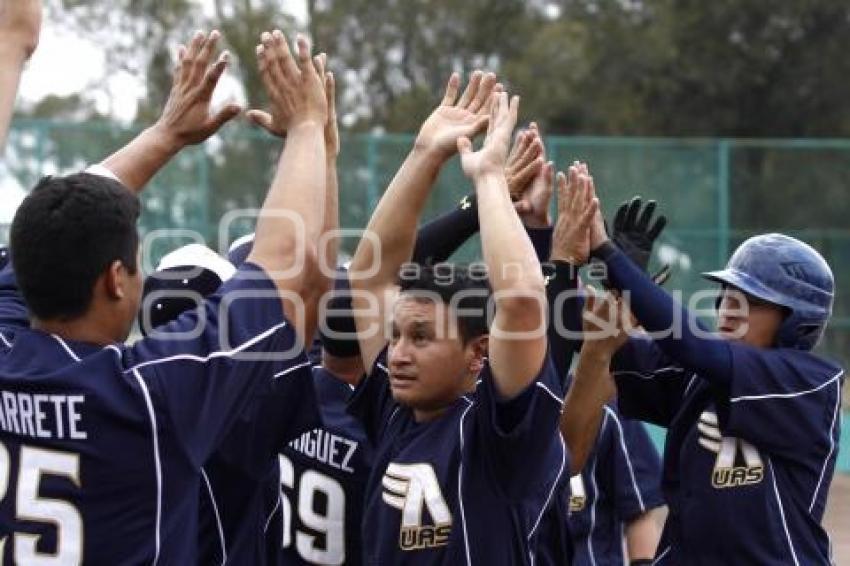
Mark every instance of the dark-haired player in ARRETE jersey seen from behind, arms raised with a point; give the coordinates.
(102, 443)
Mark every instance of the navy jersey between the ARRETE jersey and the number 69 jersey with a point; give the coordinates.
(241, 478)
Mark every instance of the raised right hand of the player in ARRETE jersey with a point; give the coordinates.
(296, 90)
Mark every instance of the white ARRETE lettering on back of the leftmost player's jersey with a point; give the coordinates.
(42, 415)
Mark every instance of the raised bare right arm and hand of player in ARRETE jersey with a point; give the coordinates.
(292, 216)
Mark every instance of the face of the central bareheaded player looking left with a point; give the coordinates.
(429, 365)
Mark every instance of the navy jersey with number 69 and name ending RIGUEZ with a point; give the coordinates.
(319, 513)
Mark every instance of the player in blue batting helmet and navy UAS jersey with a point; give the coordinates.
(751, 412)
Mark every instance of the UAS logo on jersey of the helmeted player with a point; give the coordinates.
(750, 469)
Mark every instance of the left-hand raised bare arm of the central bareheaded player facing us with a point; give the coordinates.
(393, 224)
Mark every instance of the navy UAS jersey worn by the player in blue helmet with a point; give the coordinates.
(746, 471)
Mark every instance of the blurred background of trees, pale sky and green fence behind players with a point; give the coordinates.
(733, 114)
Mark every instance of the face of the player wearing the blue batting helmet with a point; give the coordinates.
(747, 319)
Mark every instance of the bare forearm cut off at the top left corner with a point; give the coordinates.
(20, 24)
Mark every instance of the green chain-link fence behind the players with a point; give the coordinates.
(716, 192)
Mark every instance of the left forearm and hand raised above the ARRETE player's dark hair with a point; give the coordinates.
(185, 120)
